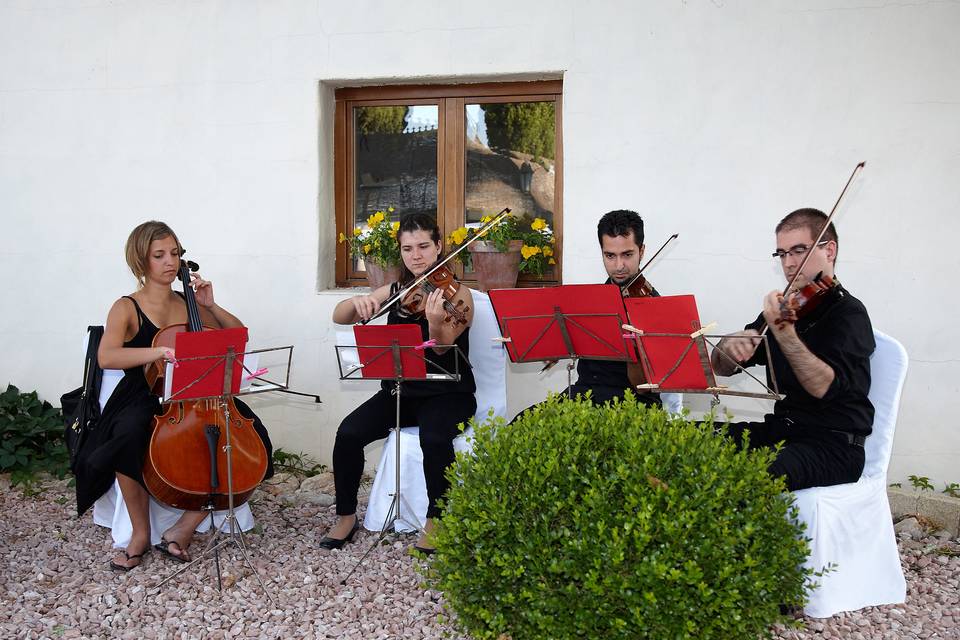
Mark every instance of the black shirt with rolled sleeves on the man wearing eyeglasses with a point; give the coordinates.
(839, 333)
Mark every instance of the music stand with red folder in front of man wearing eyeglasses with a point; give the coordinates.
(673, 347)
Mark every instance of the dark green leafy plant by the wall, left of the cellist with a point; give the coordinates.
(31, 437)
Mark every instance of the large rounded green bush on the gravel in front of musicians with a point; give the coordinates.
(615, 522)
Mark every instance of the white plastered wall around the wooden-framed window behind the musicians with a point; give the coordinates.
(713, 119)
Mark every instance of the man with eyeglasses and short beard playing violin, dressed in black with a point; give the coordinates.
(821, 363)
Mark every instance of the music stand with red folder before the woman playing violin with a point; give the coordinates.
(394, 352)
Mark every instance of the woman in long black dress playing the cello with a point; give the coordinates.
(119, 444)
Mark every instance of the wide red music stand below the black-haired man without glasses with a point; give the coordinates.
(567, 322)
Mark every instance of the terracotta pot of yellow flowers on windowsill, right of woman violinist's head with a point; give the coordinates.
(512, 247)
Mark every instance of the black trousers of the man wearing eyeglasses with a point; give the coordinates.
(809, 457)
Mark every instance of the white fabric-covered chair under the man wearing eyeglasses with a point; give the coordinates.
(850, 525)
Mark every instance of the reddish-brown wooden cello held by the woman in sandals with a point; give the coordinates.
(187, 455)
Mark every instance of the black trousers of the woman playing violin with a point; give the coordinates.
(437, 416)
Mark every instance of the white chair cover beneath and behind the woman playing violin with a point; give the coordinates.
(489, 371)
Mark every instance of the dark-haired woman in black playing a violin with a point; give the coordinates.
(437, 407)
